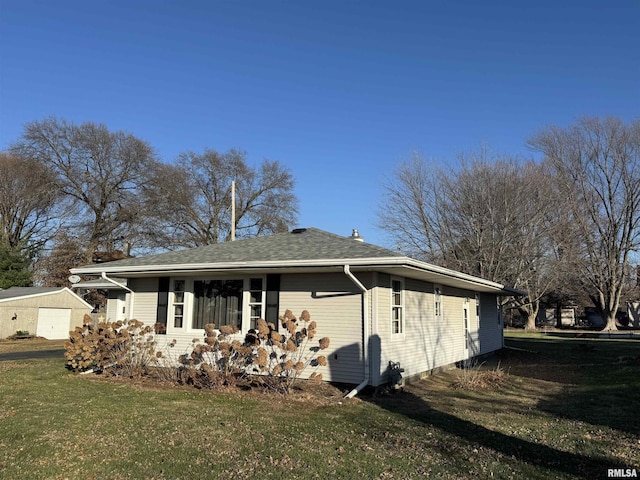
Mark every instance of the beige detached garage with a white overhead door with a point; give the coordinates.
(46, 312)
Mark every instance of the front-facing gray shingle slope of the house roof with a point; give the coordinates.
(300, 244)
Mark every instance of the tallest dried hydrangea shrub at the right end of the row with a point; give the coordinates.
(280, 358)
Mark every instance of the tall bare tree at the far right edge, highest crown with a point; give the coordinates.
(597, 163)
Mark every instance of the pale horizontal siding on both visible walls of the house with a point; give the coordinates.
(335, 303)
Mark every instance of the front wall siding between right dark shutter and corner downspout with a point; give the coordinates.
(335, 303)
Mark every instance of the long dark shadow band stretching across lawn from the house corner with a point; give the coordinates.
(534, 454)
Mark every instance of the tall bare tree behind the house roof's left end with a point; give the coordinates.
(99, 170)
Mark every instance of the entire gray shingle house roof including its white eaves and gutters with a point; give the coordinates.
(307, 247)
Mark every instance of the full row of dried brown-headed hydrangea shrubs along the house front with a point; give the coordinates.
(267, 358)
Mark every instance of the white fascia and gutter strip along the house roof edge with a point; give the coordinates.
(353, 262)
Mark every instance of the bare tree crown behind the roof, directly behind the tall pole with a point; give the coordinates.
(189, 203)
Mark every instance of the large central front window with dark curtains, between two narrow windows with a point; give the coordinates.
(218, 302)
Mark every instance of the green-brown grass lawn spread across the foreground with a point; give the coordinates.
(570, 409)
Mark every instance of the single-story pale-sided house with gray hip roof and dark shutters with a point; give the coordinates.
(376, 305)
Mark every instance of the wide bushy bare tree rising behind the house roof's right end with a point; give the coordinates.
(491, 219)
